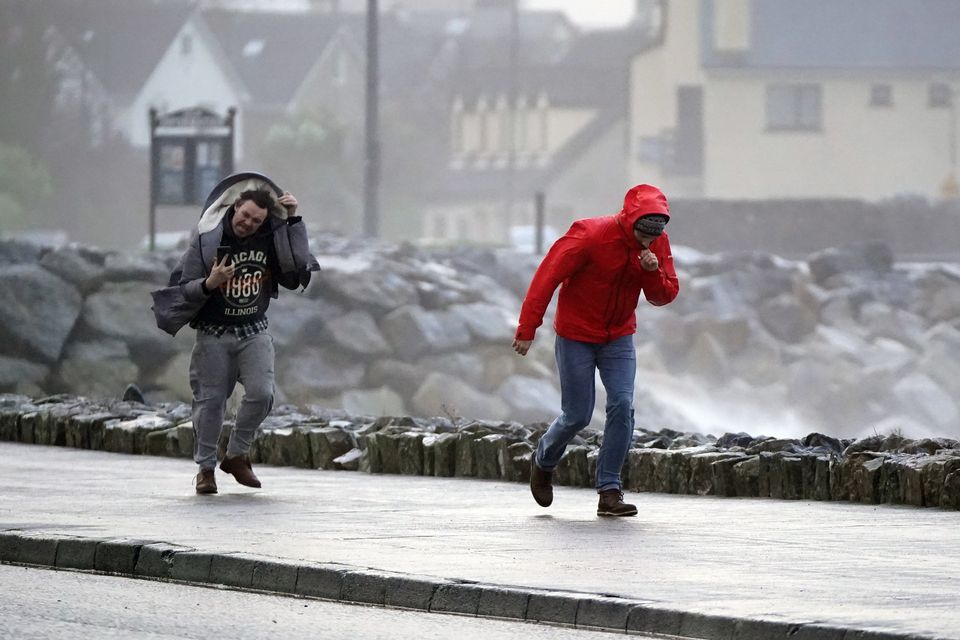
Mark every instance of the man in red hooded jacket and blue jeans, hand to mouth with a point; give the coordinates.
(601, 266)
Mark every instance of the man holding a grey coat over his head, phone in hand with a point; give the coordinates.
(248, 242)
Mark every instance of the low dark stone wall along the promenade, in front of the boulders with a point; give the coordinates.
(880, 469)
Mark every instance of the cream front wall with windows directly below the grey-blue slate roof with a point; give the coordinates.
(862, 151)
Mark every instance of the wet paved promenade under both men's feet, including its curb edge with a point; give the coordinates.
(692, 566)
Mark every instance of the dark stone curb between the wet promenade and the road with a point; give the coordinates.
(349, 584)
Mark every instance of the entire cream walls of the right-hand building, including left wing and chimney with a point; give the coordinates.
(861, 152)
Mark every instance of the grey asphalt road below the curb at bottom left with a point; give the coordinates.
(38, 604)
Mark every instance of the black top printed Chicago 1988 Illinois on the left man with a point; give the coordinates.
(245, 297)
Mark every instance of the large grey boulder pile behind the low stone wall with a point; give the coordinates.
(846, 342)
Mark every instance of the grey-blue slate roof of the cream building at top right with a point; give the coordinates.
(864, 34)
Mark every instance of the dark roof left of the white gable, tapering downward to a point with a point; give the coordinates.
(119, 41)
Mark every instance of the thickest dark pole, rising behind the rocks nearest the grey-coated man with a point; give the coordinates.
(371, 183)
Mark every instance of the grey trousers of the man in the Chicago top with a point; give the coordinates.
(216, 365)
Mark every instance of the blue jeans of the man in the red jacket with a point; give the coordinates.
(578, 363)
